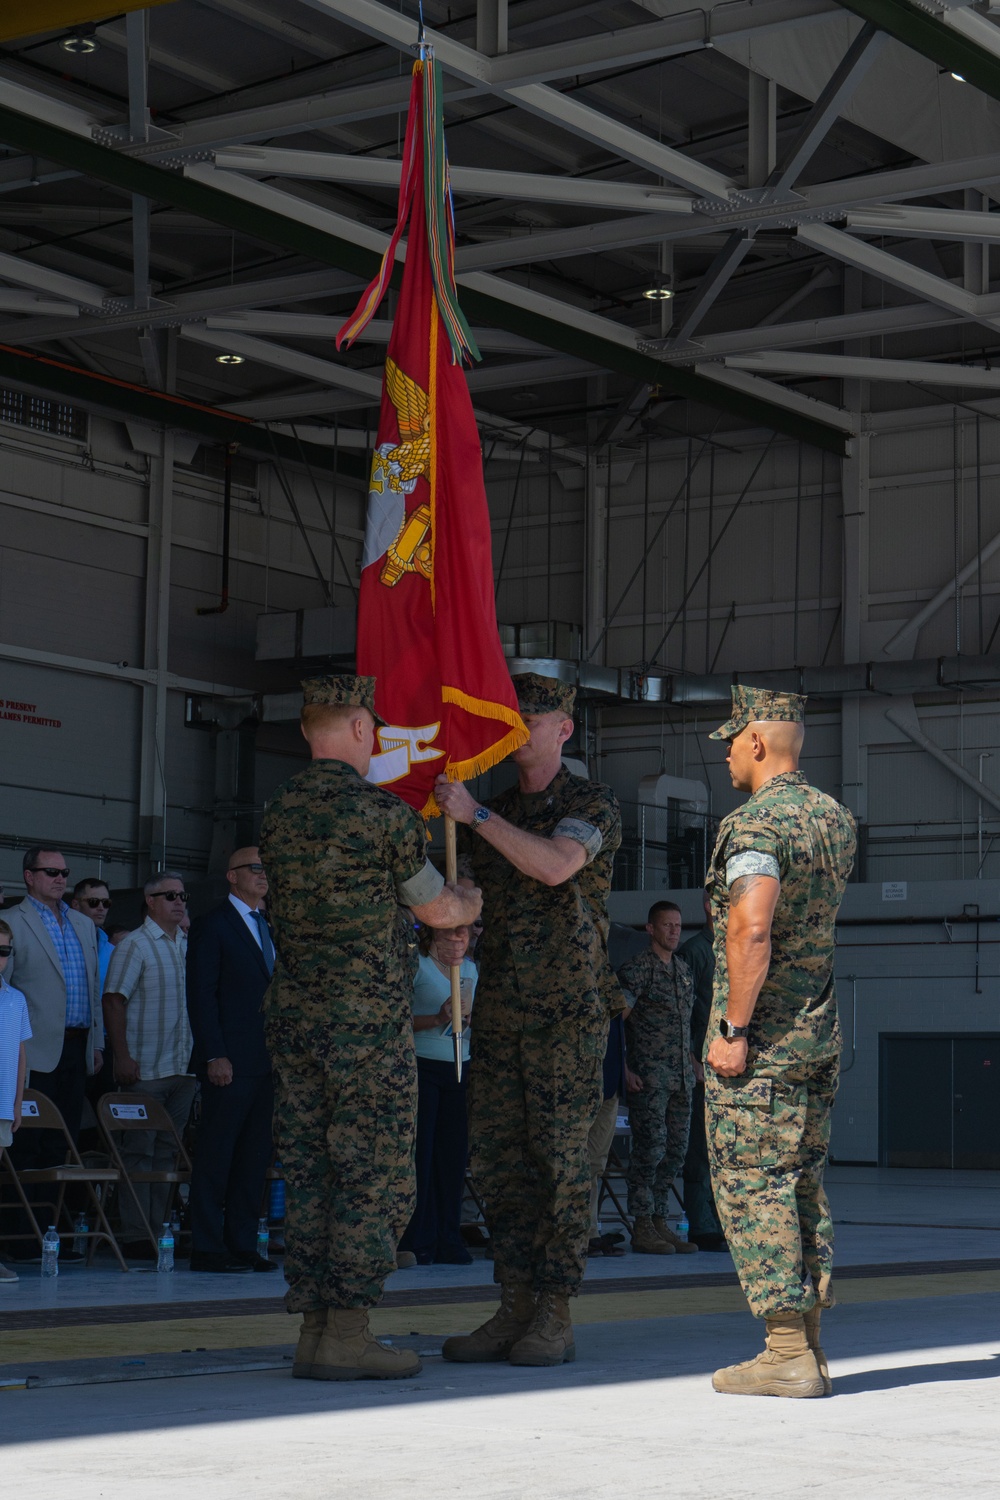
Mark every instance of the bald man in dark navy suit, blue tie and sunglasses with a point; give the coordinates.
(230, 962)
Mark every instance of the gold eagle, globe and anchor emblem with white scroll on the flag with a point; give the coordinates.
(407, 544)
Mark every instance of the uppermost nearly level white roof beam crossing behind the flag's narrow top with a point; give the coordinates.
(263, 161)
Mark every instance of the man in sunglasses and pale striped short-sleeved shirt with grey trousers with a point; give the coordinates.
(146, 1016)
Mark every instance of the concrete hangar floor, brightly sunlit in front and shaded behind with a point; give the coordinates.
(915, 1408)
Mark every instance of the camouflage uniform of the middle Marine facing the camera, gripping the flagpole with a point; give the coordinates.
(542, 1012)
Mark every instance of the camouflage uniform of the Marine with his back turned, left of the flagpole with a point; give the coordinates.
(340, 854)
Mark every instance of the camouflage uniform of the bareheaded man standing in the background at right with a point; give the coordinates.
(659, 1042)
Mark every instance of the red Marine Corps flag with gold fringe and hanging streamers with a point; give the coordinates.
(427, 613)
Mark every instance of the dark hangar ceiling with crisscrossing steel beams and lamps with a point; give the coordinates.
(809, 182)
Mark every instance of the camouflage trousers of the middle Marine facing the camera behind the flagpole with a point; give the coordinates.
(533, 1099)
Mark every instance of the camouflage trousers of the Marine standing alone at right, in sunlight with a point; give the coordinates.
(768, 1138)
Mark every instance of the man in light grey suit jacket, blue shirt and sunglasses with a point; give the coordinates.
(55, 964)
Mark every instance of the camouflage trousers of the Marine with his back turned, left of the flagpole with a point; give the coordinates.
(344, 1127)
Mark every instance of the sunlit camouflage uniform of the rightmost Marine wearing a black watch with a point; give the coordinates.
(770, 1127)
